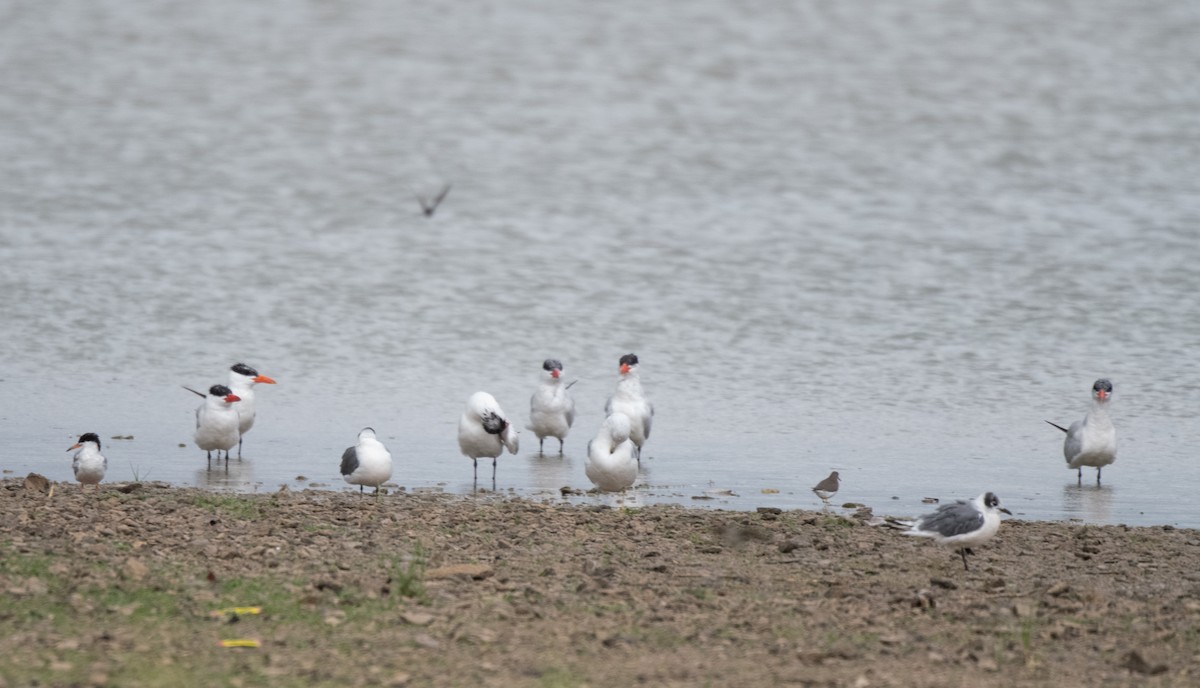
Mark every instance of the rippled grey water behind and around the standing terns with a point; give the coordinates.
(887, 241)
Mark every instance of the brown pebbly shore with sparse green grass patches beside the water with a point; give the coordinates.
(135, 585)
